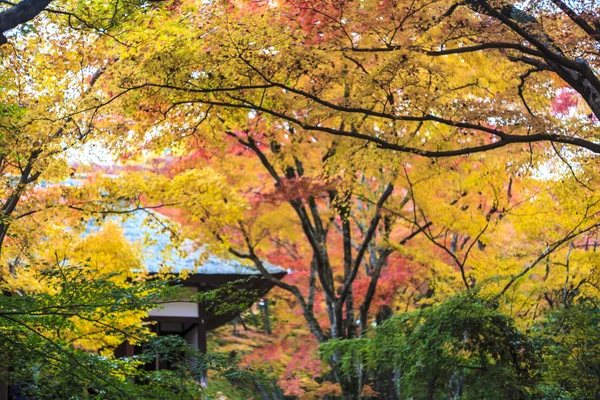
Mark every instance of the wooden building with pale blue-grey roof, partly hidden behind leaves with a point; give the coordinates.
(188, 319)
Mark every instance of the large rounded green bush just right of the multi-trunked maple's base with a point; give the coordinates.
(460, 348)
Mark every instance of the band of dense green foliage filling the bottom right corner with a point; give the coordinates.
(465, 348)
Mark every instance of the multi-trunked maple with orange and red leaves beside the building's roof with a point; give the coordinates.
(327, 224)
